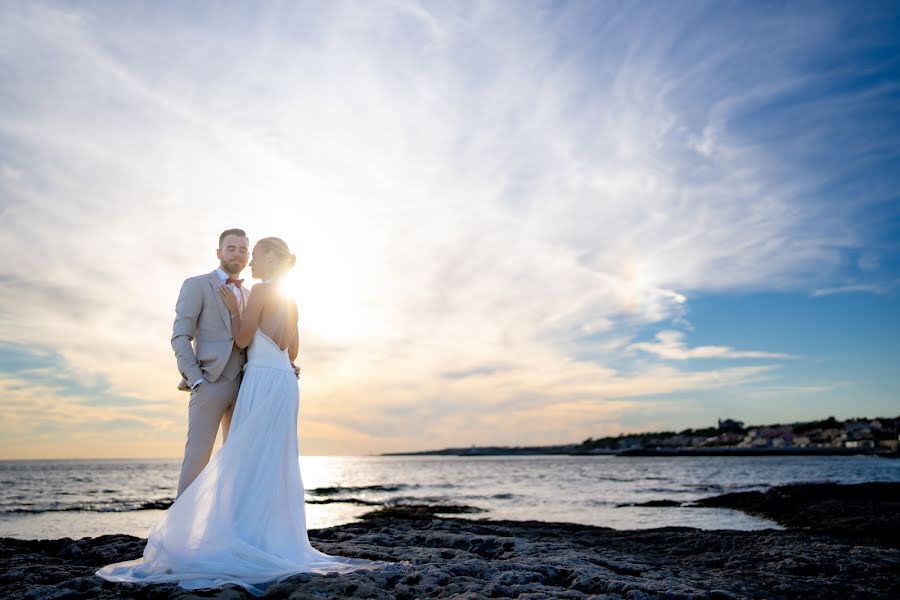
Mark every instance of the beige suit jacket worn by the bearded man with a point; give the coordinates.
(201, 335)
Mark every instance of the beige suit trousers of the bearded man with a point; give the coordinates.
(211, 404)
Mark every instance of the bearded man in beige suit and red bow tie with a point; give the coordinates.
(211, 366)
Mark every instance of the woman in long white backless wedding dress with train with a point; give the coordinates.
(243, 520)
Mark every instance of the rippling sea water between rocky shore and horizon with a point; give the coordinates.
(52, 499)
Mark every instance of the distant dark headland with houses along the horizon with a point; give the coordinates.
(828, 437)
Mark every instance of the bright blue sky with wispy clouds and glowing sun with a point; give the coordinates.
(516, 223)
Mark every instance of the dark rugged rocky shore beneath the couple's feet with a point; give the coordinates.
(824, 553)
